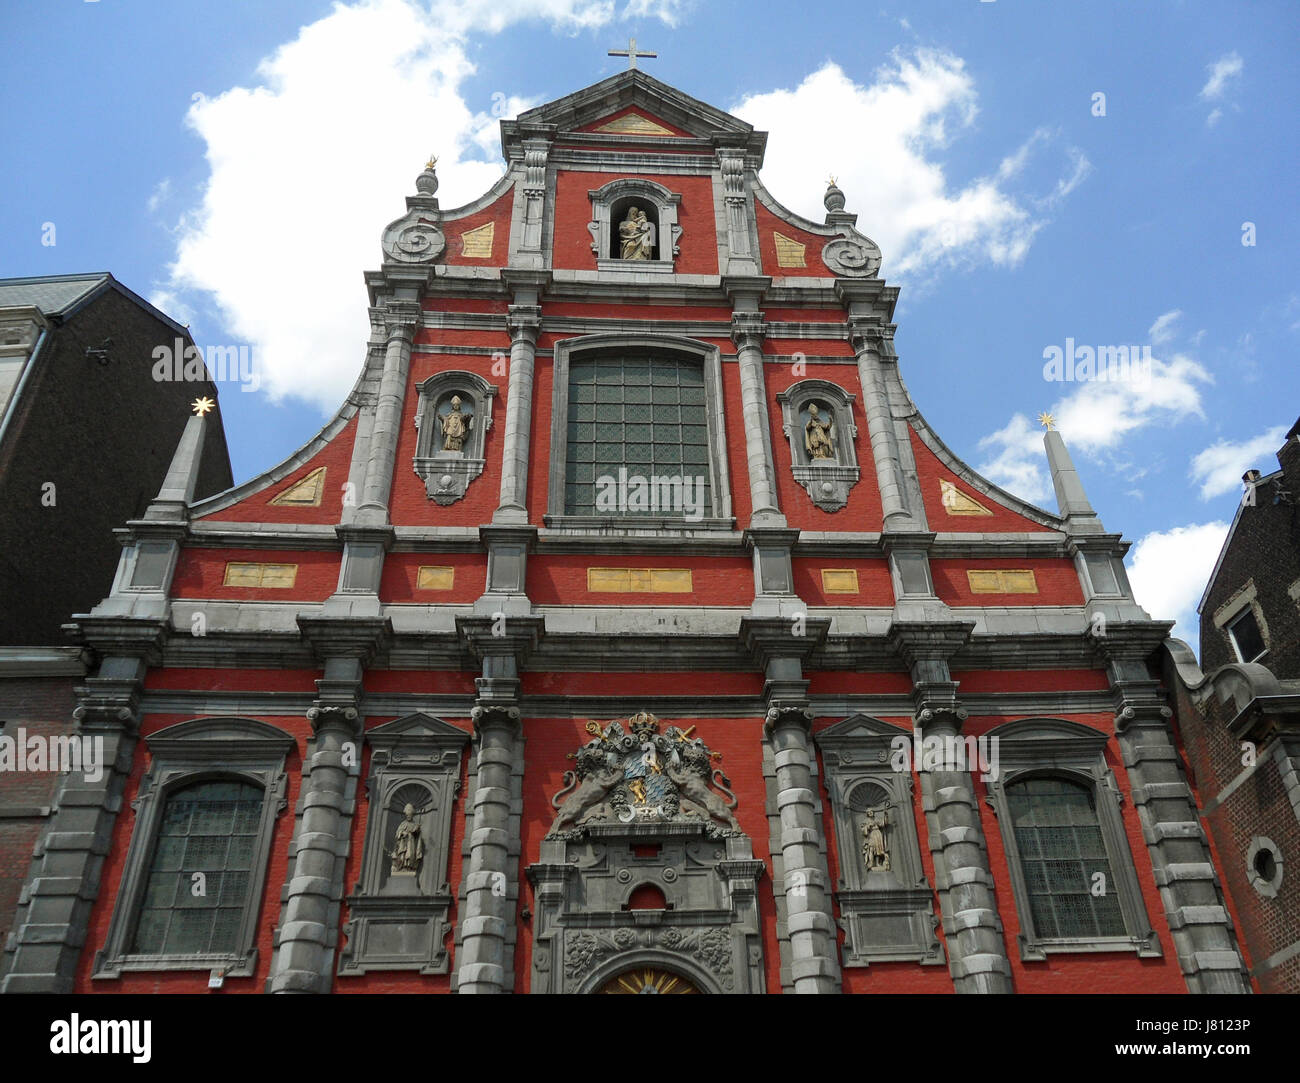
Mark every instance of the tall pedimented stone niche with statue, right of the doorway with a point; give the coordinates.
(887, 907)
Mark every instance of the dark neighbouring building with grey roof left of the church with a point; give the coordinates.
(86, 436)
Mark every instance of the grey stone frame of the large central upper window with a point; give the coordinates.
(720, 480)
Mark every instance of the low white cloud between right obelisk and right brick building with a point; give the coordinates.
(1169, 571)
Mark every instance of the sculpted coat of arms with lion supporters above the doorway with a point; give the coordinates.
(643, 776)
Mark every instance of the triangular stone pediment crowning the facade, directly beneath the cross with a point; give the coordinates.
(632, 105)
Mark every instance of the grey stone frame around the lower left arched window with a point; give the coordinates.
(209, 750)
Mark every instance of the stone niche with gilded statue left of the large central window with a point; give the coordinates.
(445, 470)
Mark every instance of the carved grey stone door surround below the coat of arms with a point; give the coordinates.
(703, 925)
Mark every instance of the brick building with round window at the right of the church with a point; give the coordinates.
(1240, 714)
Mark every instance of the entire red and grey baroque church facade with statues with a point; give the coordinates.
(627, 630)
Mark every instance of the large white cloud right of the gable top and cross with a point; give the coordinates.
(913, 110)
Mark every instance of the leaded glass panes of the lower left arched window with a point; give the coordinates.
(200, 874)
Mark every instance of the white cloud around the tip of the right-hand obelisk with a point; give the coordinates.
(1095, 418)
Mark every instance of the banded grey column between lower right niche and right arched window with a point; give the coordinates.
(977, 947)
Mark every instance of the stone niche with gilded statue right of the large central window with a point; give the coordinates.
(827, 470)
